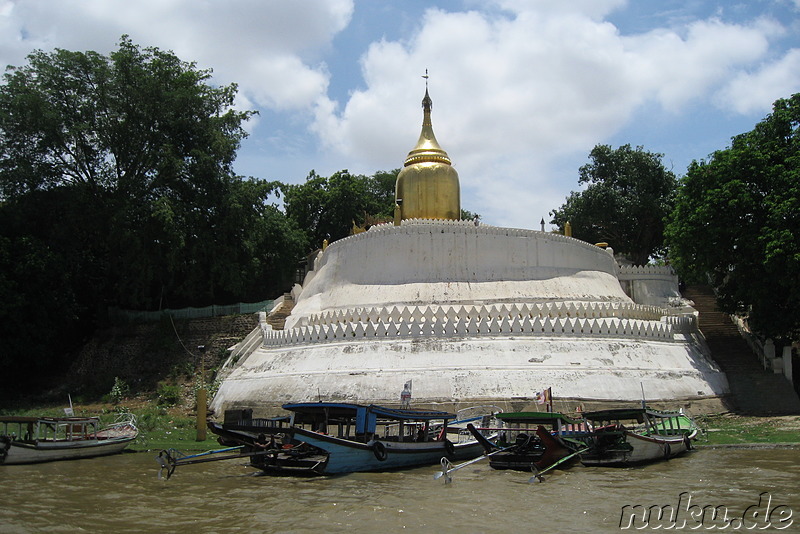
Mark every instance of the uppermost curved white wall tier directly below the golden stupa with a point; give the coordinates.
(424, 262)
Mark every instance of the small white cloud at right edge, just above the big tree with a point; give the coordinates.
(754, 93)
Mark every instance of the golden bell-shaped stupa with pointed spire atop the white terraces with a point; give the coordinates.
(427, 187)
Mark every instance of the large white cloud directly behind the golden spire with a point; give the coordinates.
(515, 94)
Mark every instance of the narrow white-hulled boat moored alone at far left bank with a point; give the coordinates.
(25, 440)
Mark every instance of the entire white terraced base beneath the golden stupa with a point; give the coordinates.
(474, 314)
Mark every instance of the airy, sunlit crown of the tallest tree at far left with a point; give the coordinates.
(137, 122)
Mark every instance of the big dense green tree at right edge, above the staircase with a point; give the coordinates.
(736, 222)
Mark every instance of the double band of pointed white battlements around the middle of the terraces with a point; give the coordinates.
(585, 319)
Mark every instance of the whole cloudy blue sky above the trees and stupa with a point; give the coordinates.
(522, 90)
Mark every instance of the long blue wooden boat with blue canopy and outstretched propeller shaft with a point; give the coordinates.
(326, 438)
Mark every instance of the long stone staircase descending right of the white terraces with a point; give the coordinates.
(754, 391)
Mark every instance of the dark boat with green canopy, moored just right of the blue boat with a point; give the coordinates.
(533, 441)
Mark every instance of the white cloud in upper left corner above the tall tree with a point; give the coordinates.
(271, 48)
